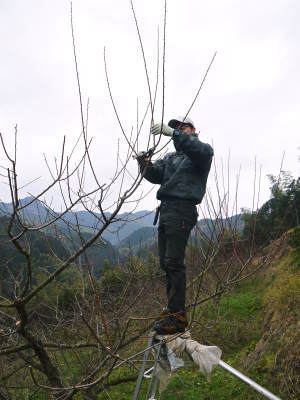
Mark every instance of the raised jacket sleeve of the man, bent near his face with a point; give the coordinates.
(200, 153)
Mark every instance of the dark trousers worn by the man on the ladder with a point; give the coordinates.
(177, 218)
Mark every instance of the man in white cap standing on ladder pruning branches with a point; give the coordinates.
(182, 175)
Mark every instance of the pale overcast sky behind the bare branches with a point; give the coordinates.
(250, 103)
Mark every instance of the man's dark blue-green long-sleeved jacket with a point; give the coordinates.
(182, 174)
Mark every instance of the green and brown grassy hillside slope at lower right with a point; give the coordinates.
(257, 328)
